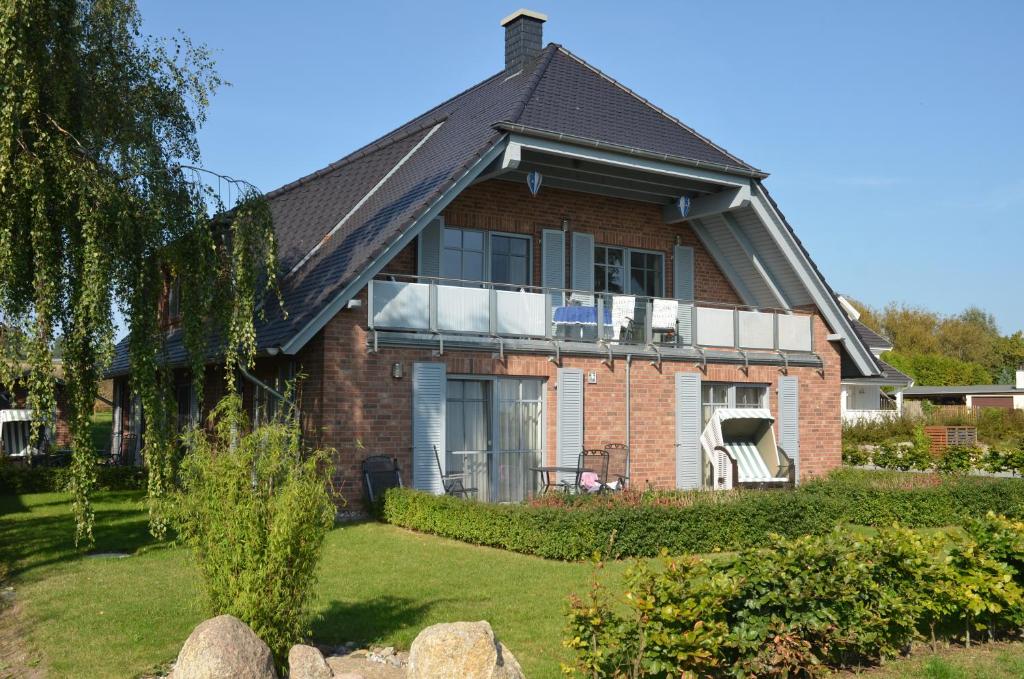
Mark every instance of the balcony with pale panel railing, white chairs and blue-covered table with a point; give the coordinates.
(414, 310)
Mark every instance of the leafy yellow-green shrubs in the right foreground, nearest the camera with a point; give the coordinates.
(800, 608)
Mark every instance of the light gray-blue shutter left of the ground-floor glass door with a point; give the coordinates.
(430, 395)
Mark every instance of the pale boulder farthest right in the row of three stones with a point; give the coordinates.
(461, 651)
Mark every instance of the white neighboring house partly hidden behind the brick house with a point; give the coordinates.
(877, 398)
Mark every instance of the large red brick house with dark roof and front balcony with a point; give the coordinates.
(545, 263)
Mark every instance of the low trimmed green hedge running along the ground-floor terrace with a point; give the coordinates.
(574, 529)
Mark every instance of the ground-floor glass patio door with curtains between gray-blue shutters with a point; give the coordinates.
(495, 435)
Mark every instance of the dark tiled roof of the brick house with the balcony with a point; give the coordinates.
(332, 224)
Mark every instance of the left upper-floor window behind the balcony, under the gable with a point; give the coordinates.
(477, 256)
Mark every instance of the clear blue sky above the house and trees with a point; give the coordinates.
(892, 131)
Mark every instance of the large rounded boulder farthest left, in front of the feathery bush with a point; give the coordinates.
(225, 648)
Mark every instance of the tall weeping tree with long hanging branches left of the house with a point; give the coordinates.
(104, 202)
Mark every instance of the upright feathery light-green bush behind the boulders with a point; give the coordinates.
(255, 510)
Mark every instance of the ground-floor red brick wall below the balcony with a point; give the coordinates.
(368, 412)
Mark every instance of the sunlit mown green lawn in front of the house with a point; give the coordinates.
(110, 617)
